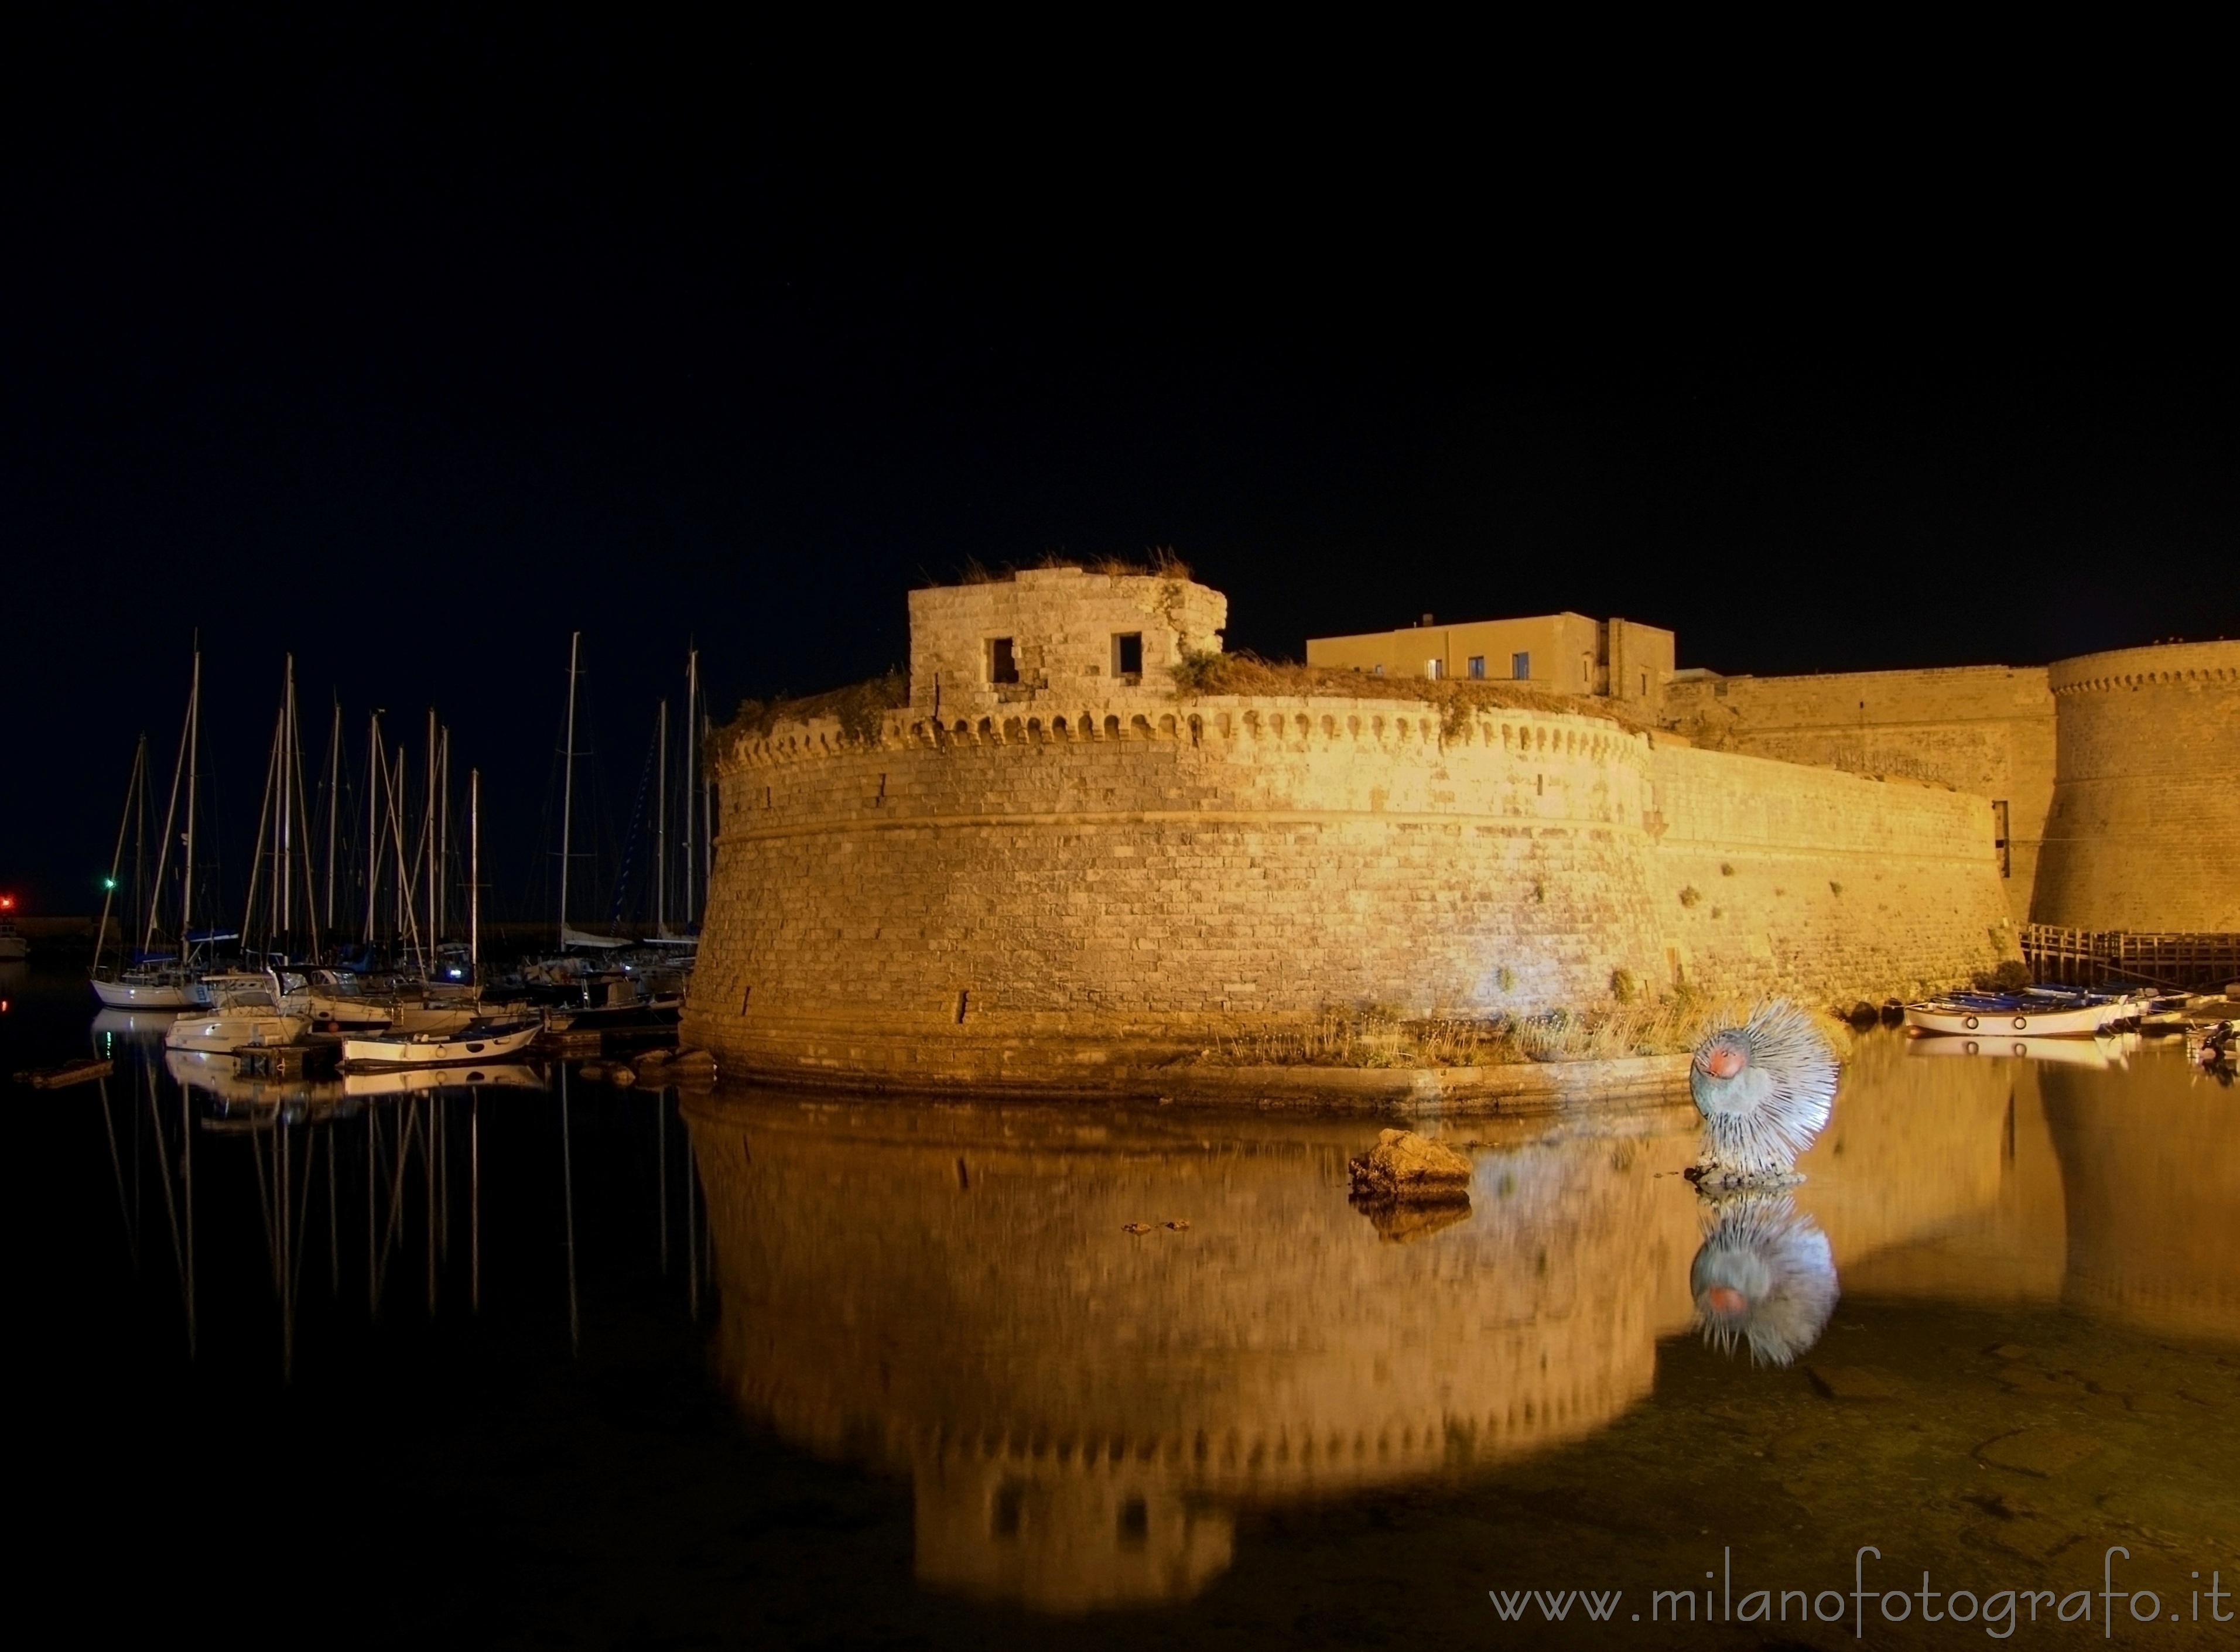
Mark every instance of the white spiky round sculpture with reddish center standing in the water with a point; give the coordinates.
(1764, 1091)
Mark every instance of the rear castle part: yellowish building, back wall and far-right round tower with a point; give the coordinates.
(2113, 778)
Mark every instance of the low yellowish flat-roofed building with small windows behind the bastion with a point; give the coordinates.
(1560, 653)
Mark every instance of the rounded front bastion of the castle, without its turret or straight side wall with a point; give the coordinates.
(1088, 892)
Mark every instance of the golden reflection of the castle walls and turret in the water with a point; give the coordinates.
(951, 1290)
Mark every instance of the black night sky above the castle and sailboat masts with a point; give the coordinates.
(413, 348)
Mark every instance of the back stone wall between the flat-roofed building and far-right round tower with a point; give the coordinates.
(1981, 729)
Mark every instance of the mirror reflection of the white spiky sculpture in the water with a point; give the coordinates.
(1764, 1277)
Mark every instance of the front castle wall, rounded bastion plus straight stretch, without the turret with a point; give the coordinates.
(1076, 899)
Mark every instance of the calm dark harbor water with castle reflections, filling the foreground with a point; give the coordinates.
(590, 1367)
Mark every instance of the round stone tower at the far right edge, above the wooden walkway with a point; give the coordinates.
(2145, 825)
